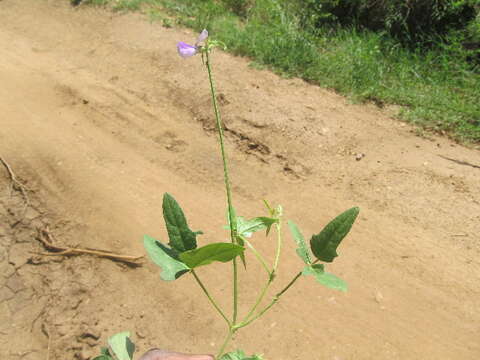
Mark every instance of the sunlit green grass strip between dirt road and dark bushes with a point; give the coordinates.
(437, 91)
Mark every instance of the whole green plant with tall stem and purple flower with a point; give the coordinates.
(182, 255)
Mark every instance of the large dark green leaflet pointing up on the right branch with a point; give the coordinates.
(324, 245)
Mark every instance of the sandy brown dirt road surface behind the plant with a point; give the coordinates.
(100, 117)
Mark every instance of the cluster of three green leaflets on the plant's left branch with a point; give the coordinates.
(183, 255)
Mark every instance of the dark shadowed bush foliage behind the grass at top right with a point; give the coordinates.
(411, 21)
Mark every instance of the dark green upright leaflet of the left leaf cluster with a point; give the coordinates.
(180, 235)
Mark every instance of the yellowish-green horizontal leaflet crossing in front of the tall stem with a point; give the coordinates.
(207, 254)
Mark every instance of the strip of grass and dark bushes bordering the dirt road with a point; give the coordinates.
(423, 55)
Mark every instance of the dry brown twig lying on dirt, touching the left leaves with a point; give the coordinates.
(47, 240)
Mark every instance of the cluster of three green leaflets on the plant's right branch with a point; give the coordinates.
(324, 247)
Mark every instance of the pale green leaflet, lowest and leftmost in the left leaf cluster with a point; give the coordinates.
(164, 257)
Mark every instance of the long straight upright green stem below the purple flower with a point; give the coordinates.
(232, 220)
